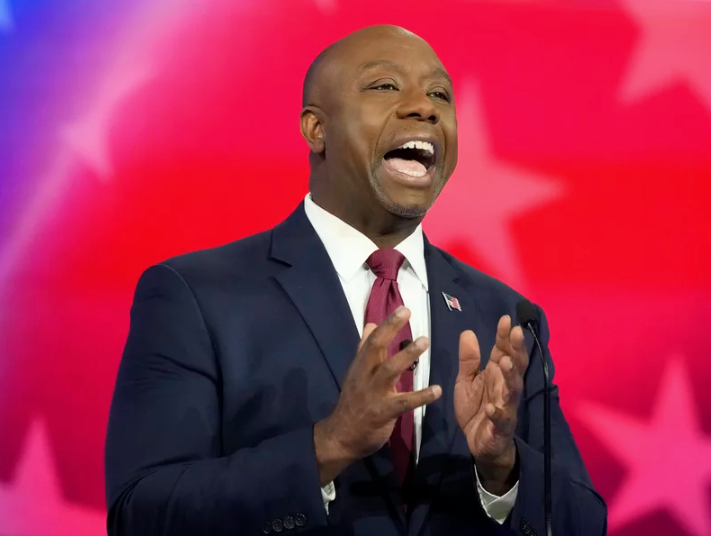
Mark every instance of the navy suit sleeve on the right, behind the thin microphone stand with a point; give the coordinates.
(578, 510)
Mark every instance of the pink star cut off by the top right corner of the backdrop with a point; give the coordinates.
(674, 46)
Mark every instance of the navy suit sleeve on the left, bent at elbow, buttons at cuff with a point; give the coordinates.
(166, 472)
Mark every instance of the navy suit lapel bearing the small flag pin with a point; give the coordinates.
(440, 425)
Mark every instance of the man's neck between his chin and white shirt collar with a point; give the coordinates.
(385, 229)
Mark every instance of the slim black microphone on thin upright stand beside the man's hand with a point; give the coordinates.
(528, 317)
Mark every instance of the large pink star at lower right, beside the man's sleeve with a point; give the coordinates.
(668, 457)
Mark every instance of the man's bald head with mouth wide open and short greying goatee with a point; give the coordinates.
(379, 119)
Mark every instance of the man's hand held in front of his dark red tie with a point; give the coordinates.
(369, 405)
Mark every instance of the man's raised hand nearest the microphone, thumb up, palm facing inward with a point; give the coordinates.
(486, 402)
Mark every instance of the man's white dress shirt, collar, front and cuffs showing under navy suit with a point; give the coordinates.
(348, 250)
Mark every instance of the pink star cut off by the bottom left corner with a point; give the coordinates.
(33, 504)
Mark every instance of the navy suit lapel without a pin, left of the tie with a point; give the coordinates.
(312, 284)
